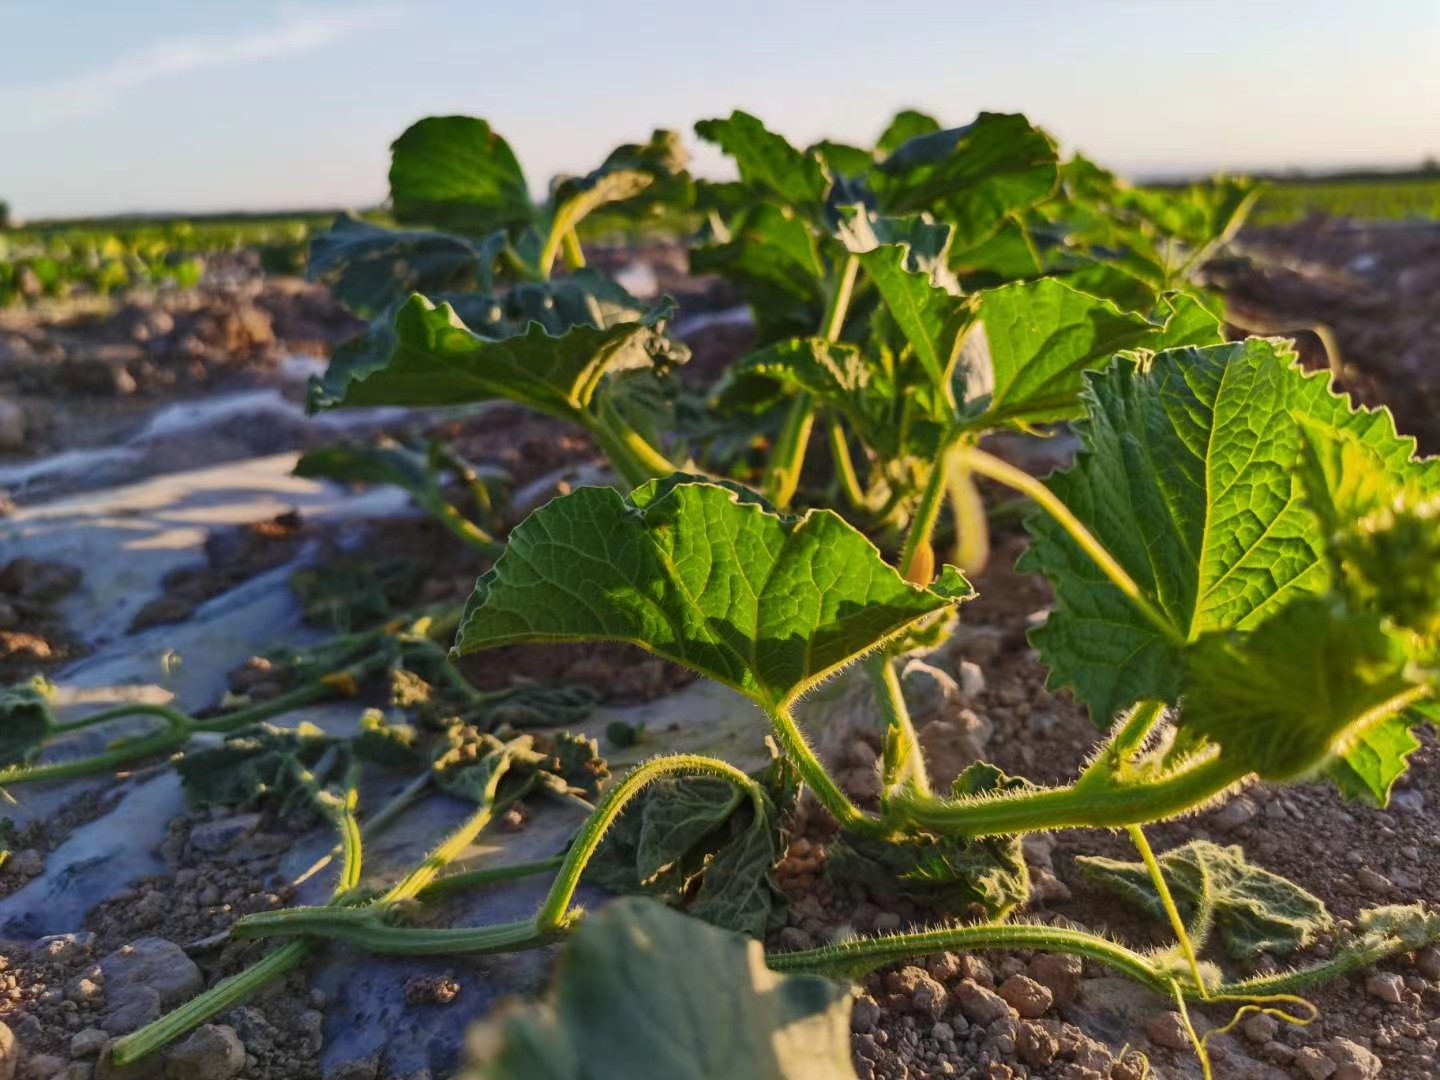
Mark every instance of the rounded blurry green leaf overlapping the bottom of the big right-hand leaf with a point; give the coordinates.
(1298, 690)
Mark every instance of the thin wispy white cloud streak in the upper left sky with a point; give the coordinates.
(41, 106)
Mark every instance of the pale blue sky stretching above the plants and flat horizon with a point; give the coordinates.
(202, 106)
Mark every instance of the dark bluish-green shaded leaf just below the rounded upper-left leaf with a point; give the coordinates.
(371, 269)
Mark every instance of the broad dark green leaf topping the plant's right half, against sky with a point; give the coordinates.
(970, 178)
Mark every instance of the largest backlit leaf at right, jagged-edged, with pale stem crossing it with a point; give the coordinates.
(1189, 479)
